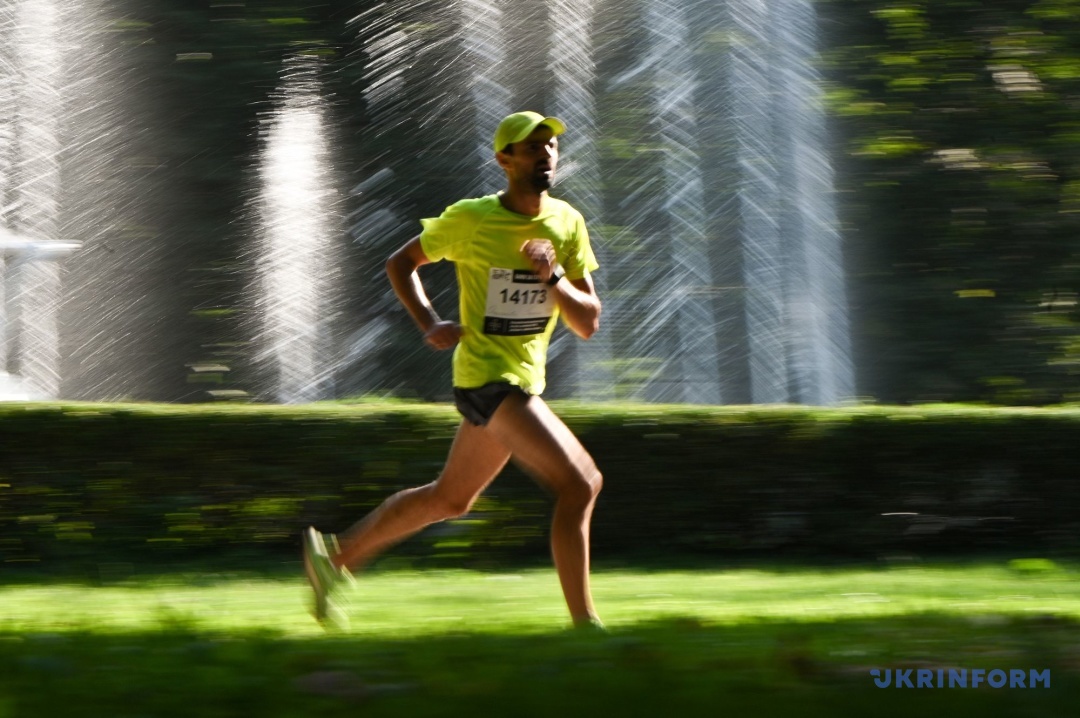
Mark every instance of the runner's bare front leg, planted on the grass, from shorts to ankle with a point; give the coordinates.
(548, 450)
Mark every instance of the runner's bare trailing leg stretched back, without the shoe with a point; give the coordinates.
(476, 459)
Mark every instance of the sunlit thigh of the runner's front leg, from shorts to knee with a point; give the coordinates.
(542, 442)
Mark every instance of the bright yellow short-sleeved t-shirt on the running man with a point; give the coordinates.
(508, 315)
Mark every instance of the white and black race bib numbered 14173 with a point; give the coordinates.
(518, 303)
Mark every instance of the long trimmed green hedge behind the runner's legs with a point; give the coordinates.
(102, 483)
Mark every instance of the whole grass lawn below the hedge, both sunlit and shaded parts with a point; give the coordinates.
(785, 642)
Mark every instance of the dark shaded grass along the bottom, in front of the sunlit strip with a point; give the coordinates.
(677, 668)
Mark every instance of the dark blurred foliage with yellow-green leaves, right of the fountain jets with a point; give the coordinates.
(957, 143)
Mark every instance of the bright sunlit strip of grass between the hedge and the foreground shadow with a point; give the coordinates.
(437, 602)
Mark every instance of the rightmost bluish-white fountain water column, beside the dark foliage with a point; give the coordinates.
(796, 311)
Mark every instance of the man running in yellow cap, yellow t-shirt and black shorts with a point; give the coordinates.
(523, 260)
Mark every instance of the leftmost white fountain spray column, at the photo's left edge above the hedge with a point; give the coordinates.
(31, 145)
